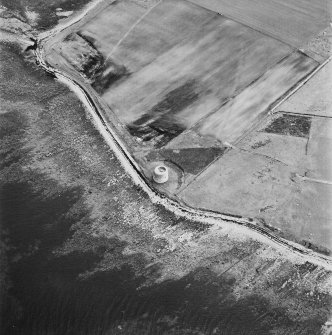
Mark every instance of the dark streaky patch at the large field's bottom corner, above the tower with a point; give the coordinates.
(159, 125)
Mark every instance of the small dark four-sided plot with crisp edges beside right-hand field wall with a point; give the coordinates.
(291, 125)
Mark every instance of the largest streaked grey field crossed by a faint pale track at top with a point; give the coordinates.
(184, 63)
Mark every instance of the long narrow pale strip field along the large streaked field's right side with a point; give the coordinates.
(228, 123)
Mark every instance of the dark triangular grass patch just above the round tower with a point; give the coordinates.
(191, 160)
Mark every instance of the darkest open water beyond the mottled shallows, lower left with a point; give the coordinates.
(47, 296)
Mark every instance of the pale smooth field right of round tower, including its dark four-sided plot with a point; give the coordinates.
(259, 179)
